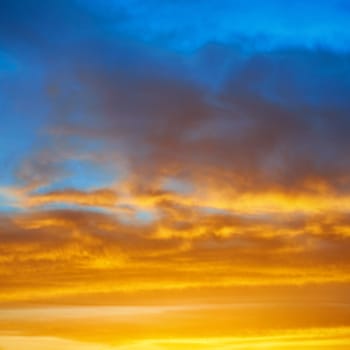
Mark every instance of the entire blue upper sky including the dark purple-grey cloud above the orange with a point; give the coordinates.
(259, 90)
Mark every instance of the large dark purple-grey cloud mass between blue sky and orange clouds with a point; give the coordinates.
(259, 128)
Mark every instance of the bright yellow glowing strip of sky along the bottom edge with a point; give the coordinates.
(151, 328)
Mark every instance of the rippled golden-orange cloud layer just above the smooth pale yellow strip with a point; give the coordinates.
(53, 254)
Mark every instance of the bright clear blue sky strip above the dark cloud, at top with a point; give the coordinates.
(188, 25)
